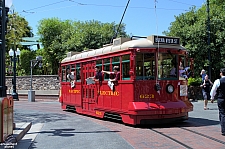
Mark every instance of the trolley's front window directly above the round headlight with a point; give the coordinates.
(167, 66)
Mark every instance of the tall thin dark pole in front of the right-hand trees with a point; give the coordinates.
(209, 50)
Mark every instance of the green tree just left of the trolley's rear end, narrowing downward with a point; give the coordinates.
(51, 31)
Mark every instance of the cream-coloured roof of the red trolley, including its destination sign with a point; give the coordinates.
(121, 44)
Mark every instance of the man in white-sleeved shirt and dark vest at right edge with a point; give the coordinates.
(219, 87)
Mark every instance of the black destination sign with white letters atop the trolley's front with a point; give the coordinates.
(166, 40)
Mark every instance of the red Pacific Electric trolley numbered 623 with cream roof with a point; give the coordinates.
(152, 86)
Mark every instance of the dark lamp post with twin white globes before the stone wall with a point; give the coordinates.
(14, 55)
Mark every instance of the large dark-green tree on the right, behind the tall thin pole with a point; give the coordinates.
(191, 27)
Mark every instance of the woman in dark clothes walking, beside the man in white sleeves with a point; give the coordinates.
(206, 90)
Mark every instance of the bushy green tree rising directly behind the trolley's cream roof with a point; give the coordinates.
(91, 35)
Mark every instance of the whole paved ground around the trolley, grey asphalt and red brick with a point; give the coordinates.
(53, 128)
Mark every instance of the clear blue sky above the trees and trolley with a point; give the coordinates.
(141, 18)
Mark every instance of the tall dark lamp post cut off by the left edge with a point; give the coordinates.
(4, 9)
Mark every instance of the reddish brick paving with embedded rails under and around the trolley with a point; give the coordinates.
(204, 133)
